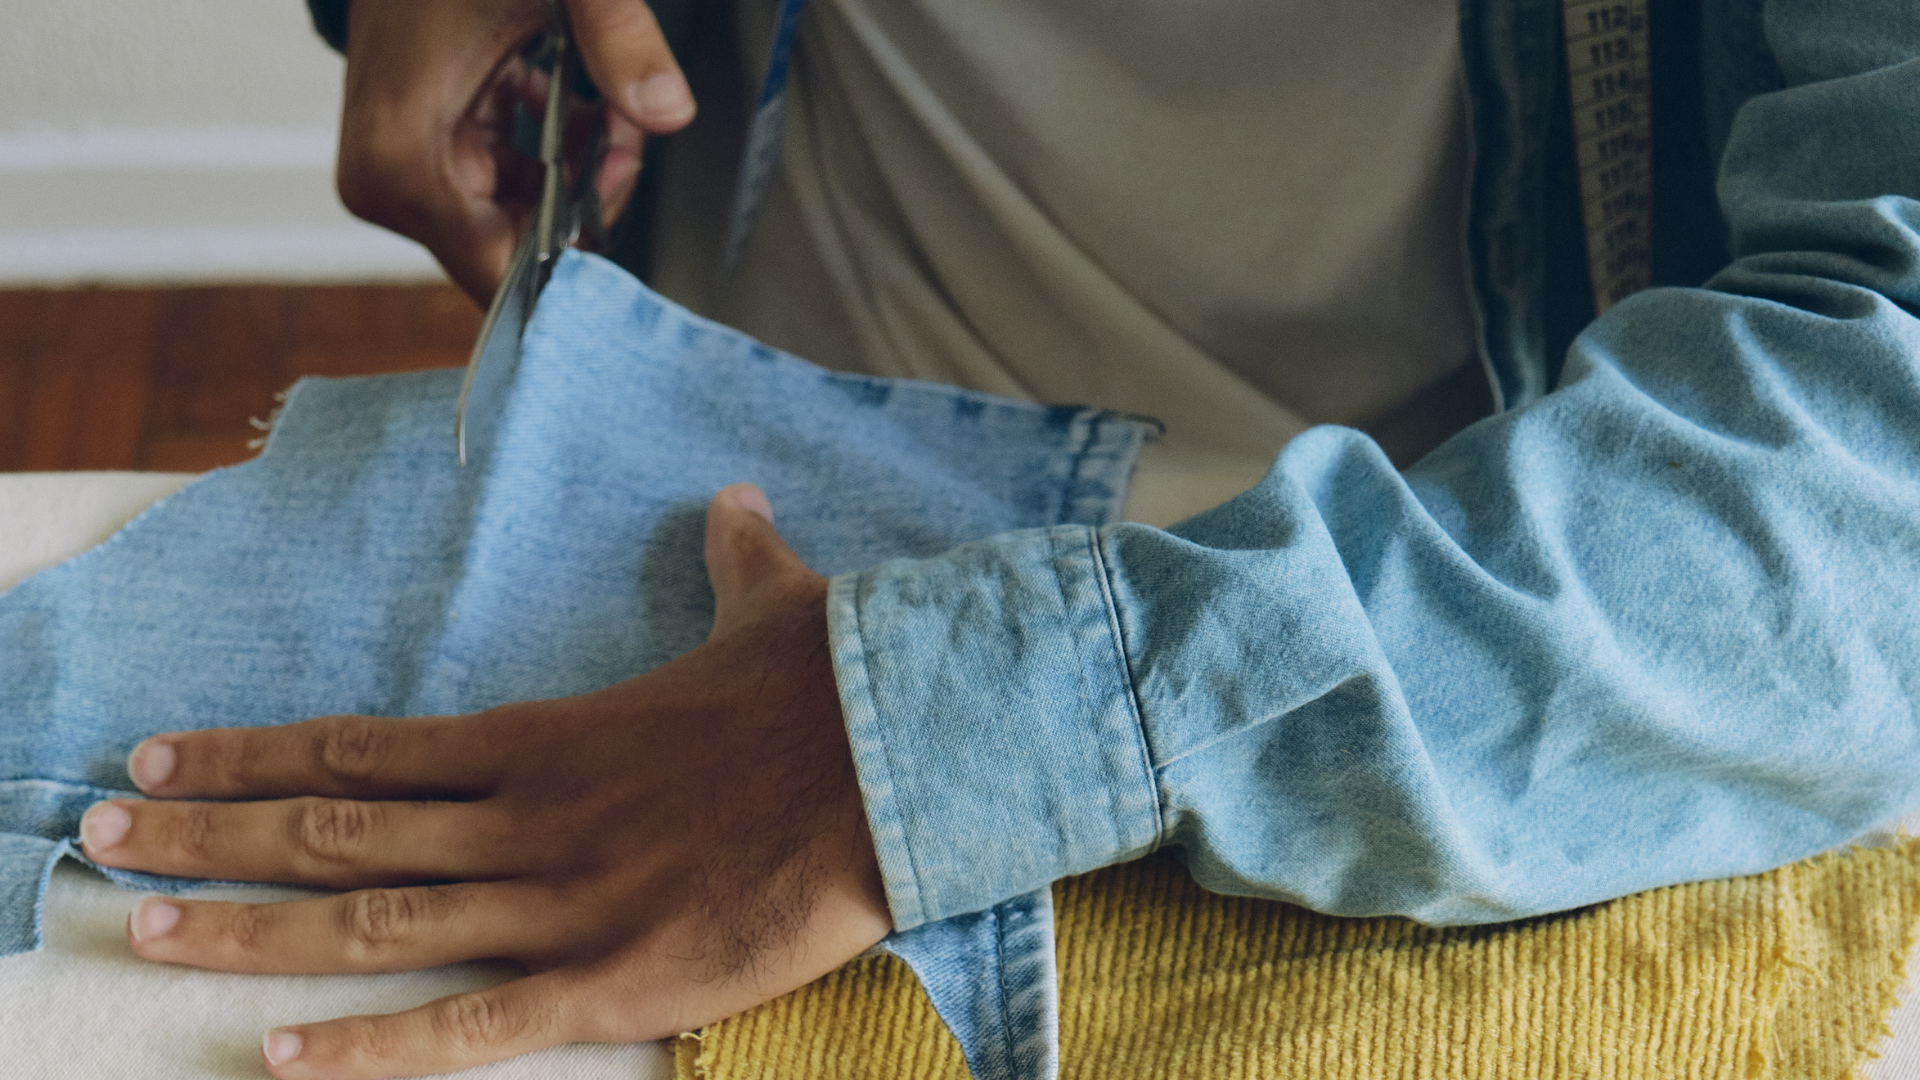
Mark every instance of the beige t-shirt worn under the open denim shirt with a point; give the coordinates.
(1236, 216)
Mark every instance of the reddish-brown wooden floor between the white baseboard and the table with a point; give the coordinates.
(168, 380)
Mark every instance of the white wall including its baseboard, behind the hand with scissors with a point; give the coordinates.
(176, 141)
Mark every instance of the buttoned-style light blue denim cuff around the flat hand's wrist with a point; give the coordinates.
(994, 722)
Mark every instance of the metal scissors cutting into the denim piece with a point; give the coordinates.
(565, 209)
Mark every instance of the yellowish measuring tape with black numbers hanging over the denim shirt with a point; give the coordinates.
(1614, 141)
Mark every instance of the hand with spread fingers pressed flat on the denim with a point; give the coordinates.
(661, 854)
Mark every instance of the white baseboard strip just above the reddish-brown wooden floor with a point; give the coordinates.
(185, 207)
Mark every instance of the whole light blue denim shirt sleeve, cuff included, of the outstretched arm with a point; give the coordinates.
(1662, 626)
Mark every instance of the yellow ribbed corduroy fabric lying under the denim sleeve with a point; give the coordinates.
(1785, 975)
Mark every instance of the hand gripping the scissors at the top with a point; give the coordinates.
(425, 135)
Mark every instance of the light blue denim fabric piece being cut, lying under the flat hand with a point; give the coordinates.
(354, 568)
